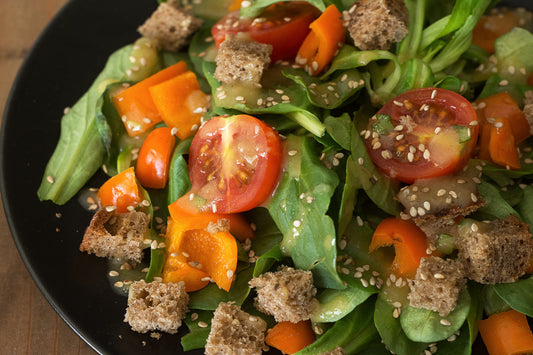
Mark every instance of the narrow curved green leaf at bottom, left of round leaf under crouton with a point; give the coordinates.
(391, 330)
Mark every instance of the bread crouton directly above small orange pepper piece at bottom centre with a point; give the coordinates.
(286, 294)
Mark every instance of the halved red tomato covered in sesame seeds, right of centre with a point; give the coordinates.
(432, 132)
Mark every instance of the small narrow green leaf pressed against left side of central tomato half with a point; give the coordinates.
(178, 176)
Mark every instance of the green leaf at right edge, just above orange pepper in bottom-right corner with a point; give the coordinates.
(518, 295)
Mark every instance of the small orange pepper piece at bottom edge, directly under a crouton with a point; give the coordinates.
(290, 337)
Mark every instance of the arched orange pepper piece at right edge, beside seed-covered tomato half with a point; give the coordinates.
(503, 105)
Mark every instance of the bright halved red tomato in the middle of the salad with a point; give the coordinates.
(234, 163)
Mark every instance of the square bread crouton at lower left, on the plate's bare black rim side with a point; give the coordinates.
(156, 306)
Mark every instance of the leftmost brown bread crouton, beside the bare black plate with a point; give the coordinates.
(116, 235)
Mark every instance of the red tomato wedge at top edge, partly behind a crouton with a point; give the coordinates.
(283, 25)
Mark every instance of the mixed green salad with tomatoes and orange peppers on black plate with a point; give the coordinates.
(396, 170)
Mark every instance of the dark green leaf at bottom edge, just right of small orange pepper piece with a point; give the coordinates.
(352, 332)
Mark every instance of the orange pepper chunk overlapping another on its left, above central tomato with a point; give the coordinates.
(180, 103)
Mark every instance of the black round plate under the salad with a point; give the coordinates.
(60, 67)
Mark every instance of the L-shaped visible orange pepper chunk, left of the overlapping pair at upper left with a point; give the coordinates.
(135, 104)
